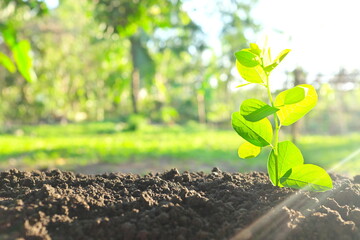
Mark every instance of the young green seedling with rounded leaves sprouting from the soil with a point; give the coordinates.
(285, 164)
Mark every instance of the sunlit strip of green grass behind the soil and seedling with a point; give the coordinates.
(90, 143)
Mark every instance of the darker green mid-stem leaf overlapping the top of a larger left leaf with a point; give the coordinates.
(254, 110)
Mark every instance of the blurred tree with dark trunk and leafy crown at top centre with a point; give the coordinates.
(137, 21)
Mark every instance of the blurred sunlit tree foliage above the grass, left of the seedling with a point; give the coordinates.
(85, 67)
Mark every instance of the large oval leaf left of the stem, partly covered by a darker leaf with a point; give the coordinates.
(258, 133)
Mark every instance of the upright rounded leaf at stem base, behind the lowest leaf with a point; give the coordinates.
(288, 156)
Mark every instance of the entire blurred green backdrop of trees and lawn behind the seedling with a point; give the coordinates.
(136, 86)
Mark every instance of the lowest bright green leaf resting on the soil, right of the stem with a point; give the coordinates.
(308, 176)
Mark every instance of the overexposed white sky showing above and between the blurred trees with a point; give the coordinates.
(323, 34)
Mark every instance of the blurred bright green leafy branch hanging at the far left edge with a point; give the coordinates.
(15, 51)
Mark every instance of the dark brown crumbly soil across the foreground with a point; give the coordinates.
(172, 205)
